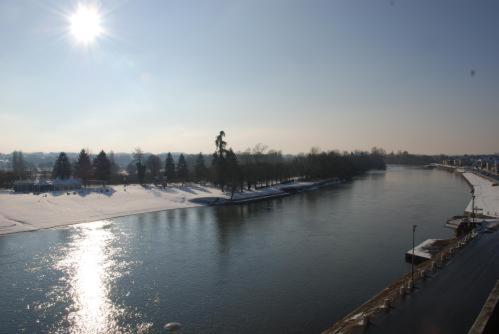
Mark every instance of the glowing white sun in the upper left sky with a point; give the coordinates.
(85, 24)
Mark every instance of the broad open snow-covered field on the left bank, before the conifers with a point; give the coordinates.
(25, 212)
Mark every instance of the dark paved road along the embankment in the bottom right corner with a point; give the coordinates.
(450, 301)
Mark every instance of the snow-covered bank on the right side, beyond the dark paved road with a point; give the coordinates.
(486, 195)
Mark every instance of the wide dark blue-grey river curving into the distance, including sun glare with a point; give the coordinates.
(290, 265)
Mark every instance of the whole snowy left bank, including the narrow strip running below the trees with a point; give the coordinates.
(27, 212)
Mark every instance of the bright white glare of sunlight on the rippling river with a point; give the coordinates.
(88, 264)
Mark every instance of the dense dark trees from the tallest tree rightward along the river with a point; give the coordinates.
(259, 167)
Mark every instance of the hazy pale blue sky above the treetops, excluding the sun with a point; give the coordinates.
(168, 75)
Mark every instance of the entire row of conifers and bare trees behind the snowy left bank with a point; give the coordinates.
(231, 171)
